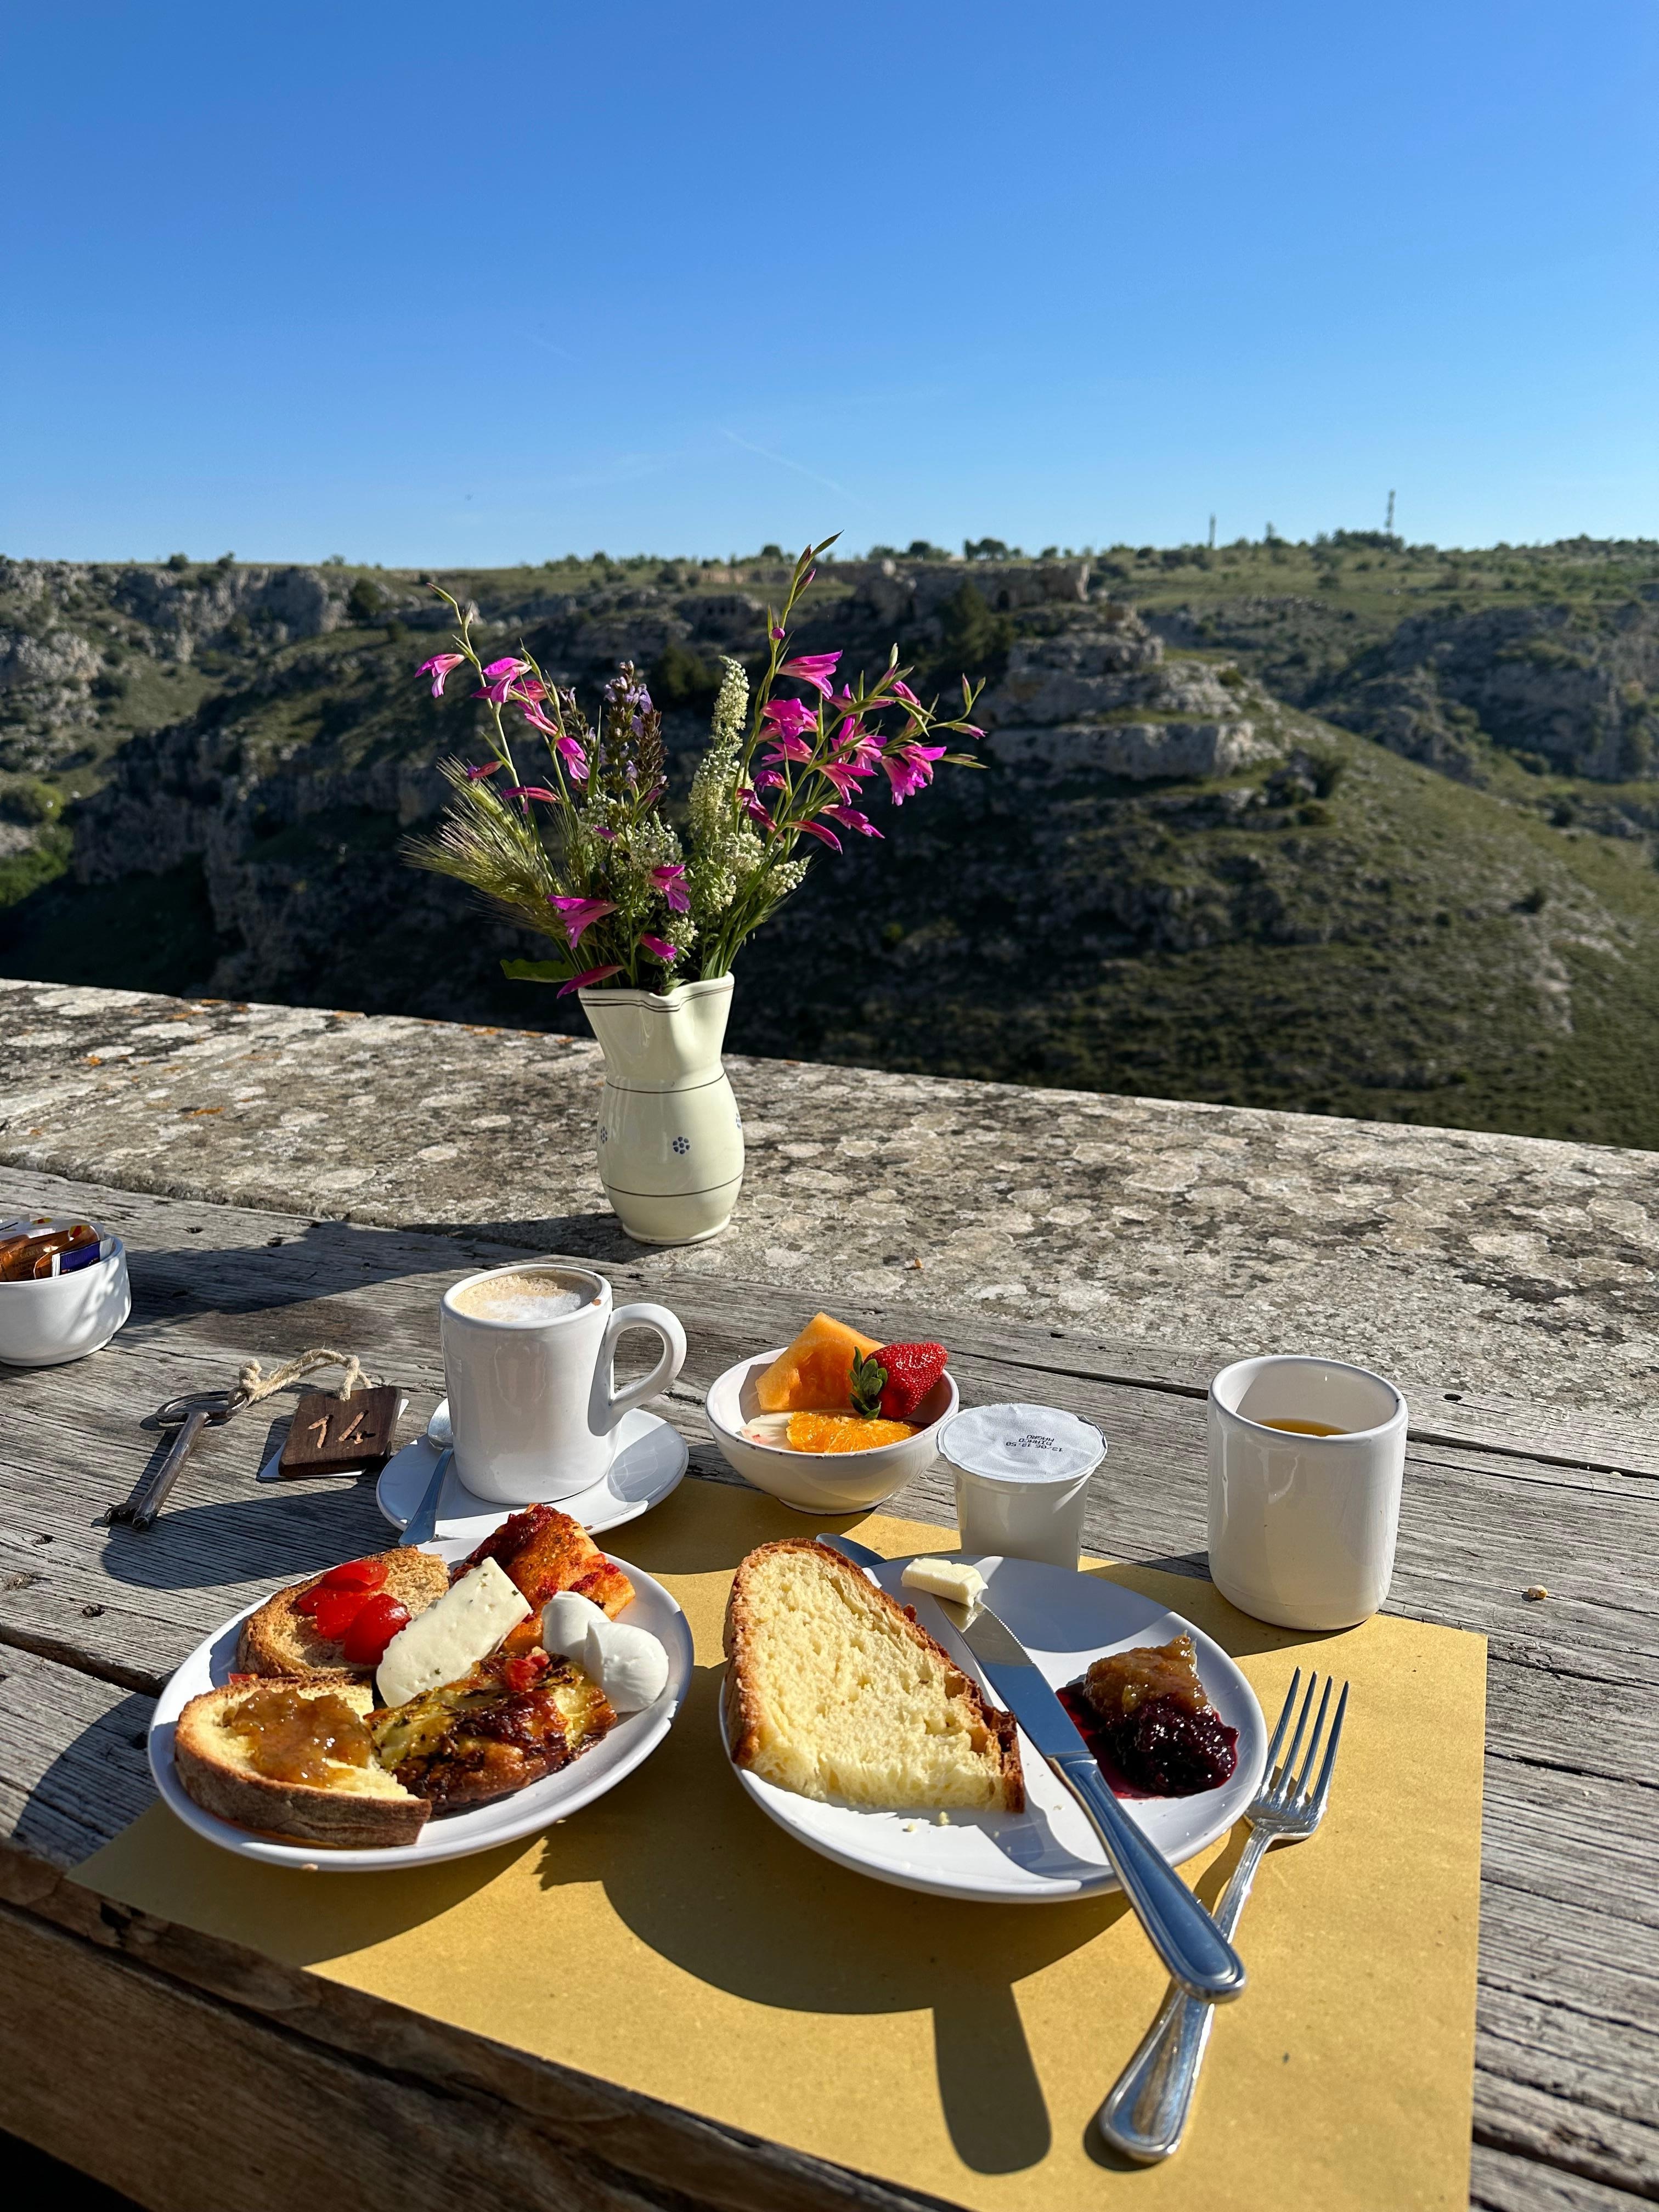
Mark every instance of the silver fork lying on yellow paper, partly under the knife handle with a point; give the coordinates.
(1147, 2111)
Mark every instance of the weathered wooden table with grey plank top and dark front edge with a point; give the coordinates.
(156, 2058)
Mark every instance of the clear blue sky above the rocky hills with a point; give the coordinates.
(421, 284)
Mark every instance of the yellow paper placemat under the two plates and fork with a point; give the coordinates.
(671, 1939)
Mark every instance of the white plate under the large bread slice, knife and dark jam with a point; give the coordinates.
(1050, 1850)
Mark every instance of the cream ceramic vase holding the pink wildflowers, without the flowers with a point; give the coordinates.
(671, 1138)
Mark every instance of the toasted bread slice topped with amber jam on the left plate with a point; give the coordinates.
(353, 1808)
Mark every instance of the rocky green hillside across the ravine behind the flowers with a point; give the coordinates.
(1171, 877)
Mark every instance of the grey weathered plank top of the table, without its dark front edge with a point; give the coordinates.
(1569, 2060)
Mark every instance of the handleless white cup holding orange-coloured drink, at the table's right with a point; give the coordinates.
(1306, 1465)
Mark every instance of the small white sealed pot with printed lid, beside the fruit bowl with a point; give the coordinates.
(1023, 1481)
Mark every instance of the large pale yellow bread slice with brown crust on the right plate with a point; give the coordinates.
(837, 1693)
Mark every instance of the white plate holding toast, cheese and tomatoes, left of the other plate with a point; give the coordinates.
(455, 1835)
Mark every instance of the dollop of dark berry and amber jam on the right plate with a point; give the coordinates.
(1151, 1726)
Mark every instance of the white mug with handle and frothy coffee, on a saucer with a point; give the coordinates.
(534, 1399)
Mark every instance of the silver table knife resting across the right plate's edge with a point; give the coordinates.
(1182, 1932)
